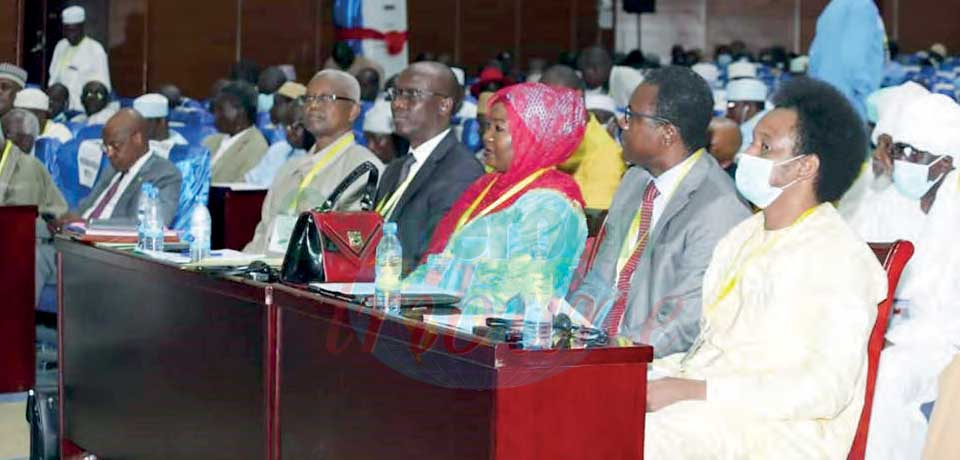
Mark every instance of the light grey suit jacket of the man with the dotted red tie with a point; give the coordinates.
(664, 301)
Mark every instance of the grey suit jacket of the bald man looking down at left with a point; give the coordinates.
(158, 171)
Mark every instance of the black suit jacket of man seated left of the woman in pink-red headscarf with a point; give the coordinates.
(449, 170)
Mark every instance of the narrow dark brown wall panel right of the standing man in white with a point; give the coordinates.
(128, 40)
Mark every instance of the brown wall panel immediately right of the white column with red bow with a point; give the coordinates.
(433, 27)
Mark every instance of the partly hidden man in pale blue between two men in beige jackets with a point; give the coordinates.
(298, 142)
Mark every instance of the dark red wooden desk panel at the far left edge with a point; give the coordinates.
(17, 326)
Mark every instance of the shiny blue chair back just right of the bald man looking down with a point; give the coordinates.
(194, 165)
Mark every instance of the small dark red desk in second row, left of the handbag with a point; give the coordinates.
(235, 215)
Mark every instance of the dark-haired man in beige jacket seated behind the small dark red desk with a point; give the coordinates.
(239, 146)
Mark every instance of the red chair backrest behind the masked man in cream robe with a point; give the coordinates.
(894, 257)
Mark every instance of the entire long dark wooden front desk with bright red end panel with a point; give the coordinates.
(158, 362)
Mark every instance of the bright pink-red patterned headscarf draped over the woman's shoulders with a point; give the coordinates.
(546, 126)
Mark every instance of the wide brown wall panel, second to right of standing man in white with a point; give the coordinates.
(191, 43)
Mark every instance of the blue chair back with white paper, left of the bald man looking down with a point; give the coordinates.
(76, 167)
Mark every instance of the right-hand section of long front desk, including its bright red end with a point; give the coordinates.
(352, 387)
